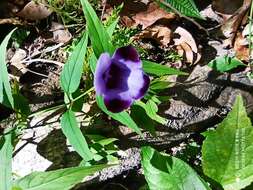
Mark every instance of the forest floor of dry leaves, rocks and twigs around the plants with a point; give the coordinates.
(198, 101)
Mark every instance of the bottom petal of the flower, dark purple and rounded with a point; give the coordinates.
(117, 104)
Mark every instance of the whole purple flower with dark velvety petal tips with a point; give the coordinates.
(120, 79)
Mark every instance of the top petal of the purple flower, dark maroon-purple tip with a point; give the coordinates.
(128, 56)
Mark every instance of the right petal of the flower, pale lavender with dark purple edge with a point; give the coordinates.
(138, 84)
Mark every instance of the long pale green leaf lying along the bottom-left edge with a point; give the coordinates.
(62, 179)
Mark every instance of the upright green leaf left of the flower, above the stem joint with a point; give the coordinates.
(72, 70)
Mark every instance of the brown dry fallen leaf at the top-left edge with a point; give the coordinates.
(34, 11)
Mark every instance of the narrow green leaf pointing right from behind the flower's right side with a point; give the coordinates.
(160, 70)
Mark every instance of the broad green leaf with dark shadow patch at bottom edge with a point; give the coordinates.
(166, 172)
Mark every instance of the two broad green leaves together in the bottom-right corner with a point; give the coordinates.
(226, 158)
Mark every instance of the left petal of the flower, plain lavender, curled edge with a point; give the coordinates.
(103, 63)
